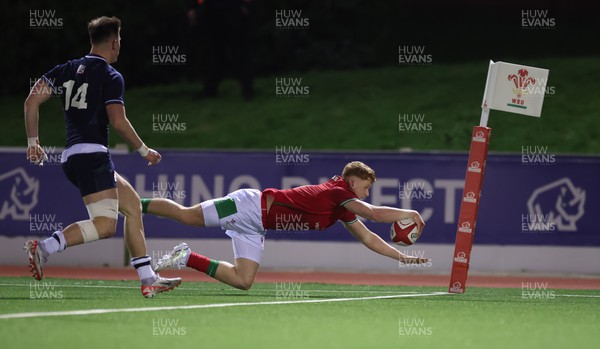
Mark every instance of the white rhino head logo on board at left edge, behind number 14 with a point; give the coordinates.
(18, 194)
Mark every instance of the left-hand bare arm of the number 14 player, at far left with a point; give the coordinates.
(39, 94)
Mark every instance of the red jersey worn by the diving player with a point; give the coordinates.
(310, 207)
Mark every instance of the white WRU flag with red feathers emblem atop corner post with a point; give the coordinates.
(515, 88)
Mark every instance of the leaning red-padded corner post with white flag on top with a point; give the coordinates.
(512, 88)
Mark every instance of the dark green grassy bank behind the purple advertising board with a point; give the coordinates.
(364, 102)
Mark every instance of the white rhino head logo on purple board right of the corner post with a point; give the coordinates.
(560, 202)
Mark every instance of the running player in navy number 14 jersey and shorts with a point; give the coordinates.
(92, 94)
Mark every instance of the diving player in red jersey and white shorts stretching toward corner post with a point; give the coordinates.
(247, 214)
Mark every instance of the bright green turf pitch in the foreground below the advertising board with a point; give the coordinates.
(292, 315)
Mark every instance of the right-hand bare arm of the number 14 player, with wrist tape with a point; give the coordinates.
(118, 120)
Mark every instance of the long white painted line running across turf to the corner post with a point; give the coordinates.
(203, 306)
